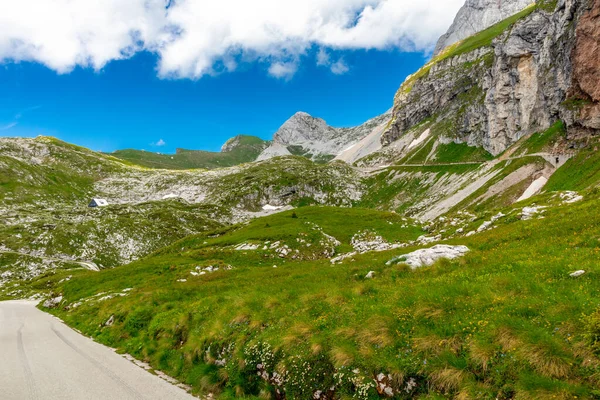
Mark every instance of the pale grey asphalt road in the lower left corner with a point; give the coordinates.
(41, 358)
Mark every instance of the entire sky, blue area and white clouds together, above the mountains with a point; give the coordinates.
(192, 73)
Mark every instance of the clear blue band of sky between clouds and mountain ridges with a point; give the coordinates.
(125, 105)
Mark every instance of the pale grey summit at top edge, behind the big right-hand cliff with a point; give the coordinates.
(477, 15)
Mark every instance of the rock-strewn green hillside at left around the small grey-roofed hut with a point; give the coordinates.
(46, 185)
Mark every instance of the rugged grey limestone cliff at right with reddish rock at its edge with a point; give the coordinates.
(495, 94)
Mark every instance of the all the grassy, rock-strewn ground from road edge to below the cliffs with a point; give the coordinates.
(281, 304)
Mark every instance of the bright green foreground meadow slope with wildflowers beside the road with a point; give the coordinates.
(506, 321)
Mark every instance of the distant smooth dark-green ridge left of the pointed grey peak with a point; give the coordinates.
(246, 149)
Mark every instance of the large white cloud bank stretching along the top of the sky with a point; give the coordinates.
(194, 38)
